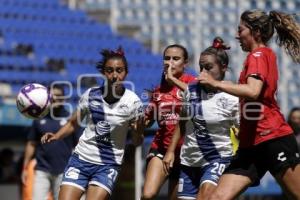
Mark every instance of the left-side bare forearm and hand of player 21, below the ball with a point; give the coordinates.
(66, 130)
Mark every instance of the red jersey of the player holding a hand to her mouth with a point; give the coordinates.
(165, 107)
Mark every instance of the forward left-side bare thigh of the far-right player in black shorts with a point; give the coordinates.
(230, 186)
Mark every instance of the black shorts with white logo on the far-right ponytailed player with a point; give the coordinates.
(276, 156)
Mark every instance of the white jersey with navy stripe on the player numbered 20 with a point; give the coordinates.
(207, 136)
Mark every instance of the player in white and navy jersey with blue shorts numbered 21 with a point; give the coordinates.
(109, 111)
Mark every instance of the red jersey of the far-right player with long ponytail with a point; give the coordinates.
(261, 120)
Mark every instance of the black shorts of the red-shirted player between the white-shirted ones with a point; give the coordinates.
(175, 171)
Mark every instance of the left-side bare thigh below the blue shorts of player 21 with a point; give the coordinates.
(68, 192)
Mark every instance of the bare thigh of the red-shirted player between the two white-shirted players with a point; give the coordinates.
(155, 175)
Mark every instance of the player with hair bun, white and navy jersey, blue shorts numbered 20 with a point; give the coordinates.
(207, 148)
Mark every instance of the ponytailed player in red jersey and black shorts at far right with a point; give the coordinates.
(266, 140)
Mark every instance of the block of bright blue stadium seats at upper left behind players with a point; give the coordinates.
(56, 32)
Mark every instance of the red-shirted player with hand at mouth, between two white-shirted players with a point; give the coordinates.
(164, 108)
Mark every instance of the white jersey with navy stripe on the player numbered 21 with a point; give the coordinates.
(104, 138)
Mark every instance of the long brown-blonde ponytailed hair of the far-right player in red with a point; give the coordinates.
(288, 30)
